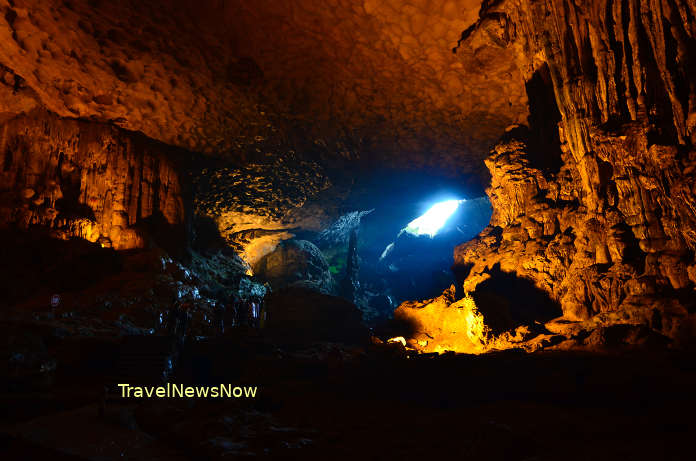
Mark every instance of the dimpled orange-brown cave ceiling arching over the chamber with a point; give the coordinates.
(371, 80)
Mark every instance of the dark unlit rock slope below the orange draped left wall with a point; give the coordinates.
(102, 292)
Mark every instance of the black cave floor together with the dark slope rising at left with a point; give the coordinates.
(316, 399)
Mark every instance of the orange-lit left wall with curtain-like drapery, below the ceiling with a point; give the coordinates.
(90, 180)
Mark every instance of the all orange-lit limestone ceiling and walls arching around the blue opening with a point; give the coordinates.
(594, 201)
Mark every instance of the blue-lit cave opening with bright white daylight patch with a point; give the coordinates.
(393, 240)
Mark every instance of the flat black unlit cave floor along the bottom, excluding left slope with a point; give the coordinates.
(330, 401)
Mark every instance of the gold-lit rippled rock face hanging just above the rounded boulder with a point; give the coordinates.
(257, 205)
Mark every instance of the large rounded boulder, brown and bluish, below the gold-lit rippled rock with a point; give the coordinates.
(296, 263)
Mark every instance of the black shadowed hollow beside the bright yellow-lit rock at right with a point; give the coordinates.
(507, 301)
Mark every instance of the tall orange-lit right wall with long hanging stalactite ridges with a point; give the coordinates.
(608, 230)
